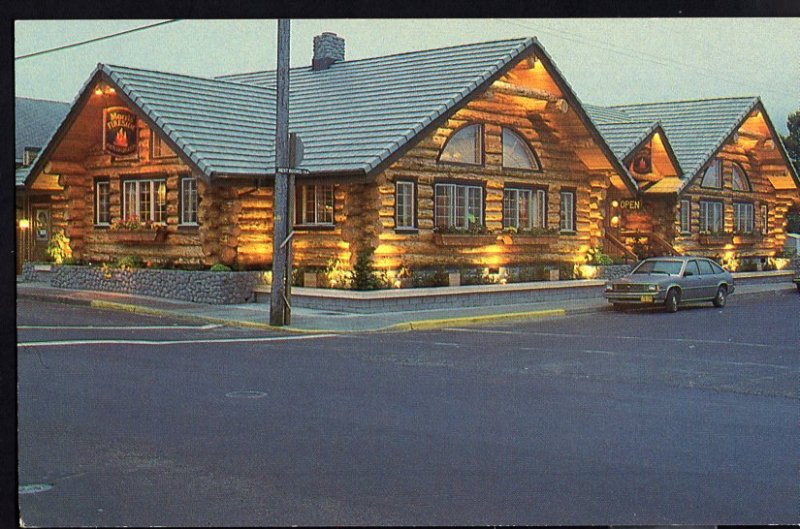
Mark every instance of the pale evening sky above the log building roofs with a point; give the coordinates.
(606, 61)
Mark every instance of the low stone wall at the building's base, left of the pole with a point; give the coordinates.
(218, 288)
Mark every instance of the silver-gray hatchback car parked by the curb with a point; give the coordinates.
(671, 281)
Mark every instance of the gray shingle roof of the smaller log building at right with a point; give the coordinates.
(695, 129)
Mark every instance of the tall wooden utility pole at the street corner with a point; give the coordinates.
(280, 295)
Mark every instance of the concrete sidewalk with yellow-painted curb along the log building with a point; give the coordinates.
(309, 320)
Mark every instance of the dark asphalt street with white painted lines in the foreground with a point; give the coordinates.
(610, 418)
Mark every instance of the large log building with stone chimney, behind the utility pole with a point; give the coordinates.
(468, 156)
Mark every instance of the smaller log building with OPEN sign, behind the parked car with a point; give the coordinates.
(713, 178)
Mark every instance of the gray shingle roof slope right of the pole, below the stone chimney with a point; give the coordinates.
(355, 114)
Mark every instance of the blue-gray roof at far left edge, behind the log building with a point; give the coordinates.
(34, 122)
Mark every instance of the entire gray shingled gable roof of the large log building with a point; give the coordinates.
(352, 117)
